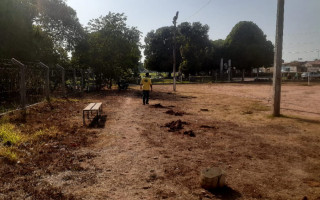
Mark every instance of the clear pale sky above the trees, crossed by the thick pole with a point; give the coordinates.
(301, 26)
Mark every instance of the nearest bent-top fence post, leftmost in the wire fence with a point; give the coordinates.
(23, 90)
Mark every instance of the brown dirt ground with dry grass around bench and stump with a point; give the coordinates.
(157, 151)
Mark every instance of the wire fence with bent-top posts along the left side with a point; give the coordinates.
(26, 83)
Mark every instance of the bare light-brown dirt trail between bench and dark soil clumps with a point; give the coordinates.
(125, 163)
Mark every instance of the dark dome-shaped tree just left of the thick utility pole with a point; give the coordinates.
(248, 47)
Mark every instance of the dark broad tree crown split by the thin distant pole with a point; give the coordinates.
(194, 48)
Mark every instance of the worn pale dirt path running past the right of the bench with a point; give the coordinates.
(122, 155)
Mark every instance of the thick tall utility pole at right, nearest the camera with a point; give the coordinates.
(278, 60)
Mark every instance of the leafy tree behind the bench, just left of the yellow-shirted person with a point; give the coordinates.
(111, 48)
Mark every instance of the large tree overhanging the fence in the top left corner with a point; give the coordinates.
(31, 26)
